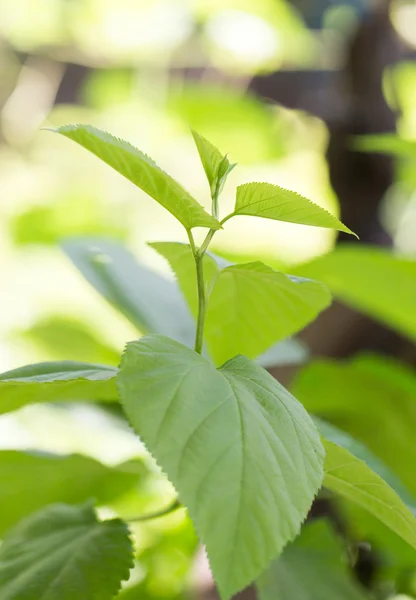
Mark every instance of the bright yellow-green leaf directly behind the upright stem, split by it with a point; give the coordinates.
(250, 306)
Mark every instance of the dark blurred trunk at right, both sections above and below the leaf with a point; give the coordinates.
(360, 181)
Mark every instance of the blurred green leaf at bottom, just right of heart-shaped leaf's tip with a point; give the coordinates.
(313, 567)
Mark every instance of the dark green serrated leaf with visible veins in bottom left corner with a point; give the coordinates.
(62, 553)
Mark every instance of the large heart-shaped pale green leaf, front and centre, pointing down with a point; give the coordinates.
(242, 453)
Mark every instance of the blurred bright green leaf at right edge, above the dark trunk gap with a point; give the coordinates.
(376, 282)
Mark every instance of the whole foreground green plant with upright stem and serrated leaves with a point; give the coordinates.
(245, 457)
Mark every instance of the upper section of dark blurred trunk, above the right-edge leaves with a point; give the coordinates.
(360, 180)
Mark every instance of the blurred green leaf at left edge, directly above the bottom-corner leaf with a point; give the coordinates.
(71, 479)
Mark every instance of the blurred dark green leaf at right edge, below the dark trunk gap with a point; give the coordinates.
(373, 398)
